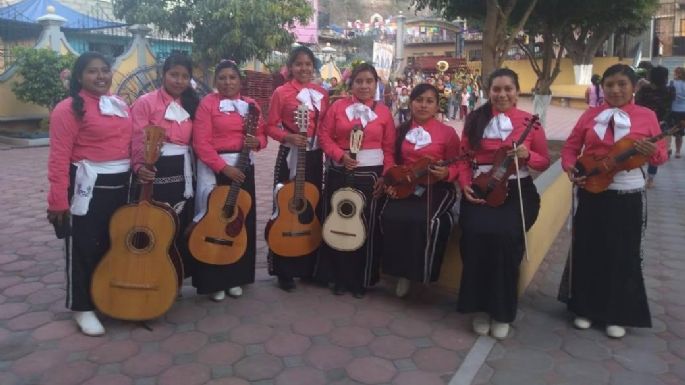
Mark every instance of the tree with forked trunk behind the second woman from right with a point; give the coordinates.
(502, 20)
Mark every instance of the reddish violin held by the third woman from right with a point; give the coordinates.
(404, 179)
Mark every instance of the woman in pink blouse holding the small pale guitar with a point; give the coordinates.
(356, 270)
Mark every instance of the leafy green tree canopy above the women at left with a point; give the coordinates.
(236, 29)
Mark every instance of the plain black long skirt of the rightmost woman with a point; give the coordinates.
(606, 282)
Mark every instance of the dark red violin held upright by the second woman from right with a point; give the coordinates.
(492, 186)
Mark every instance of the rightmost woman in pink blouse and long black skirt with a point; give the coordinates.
(606, 285)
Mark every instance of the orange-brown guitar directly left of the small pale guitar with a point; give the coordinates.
(294, 229)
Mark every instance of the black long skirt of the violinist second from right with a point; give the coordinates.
(492, 247)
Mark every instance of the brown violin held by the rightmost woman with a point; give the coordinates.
(623, 156)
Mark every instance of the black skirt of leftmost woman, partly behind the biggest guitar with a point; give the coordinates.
(89, 239)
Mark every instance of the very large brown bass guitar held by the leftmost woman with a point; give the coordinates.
(137, 278)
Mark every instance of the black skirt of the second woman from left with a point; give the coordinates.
(168, 187)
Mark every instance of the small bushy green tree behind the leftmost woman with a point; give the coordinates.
(40, 72)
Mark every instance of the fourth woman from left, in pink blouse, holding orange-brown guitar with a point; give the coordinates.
(281, 127)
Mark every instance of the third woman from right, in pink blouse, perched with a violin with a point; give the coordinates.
(415, 230)
